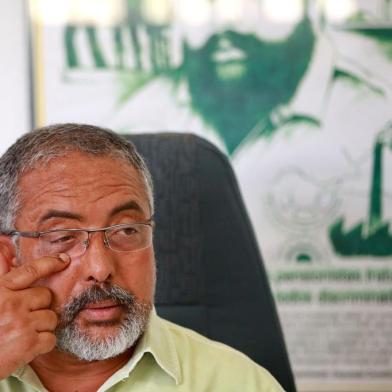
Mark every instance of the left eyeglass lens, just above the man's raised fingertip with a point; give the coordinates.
(70, 242)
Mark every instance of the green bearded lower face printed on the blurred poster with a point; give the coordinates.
(238, 73)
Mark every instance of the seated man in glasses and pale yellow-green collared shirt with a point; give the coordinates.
(77, 276)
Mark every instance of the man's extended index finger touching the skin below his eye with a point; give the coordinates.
(24, 276)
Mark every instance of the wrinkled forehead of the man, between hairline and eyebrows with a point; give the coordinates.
(80, 181)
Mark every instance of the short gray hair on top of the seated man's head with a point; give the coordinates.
(40, 146)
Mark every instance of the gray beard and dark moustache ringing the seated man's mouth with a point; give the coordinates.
(75, 341)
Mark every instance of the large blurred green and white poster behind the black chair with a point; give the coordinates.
(298, 94)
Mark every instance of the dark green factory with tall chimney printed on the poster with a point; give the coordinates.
(371, 238)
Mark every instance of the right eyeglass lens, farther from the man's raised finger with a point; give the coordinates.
(132, 237)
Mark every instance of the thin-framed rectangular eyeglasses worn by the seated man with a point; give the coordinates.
(129, 237)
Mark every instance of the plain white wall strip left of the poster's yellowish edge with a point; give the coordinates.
(14, 73)
